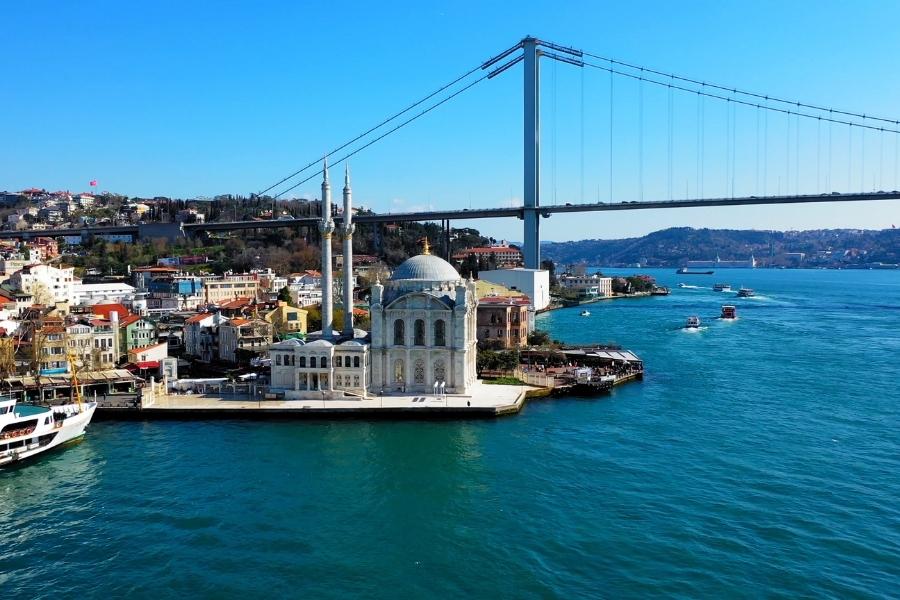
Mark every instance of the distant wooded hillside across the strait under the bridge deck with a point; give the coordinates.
(677, 245)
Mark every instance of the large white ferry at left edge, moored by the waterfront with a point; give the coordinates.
(27, 430)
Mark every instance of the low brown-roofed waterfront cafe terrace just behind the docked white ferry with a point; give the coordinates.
(57, 389)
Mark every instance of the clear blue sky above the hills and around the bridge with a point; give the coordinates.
(167, 98)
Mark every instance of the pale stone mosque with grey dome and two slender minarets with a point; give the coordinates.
(423, 330)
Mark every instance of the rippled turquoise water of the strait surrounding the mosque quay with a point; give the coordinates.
(759, 458)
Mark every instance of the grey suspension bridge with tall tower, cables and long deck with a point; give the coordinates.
(793, 159)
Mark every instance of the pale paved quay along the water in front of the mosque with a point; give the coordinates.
(483, 400)
